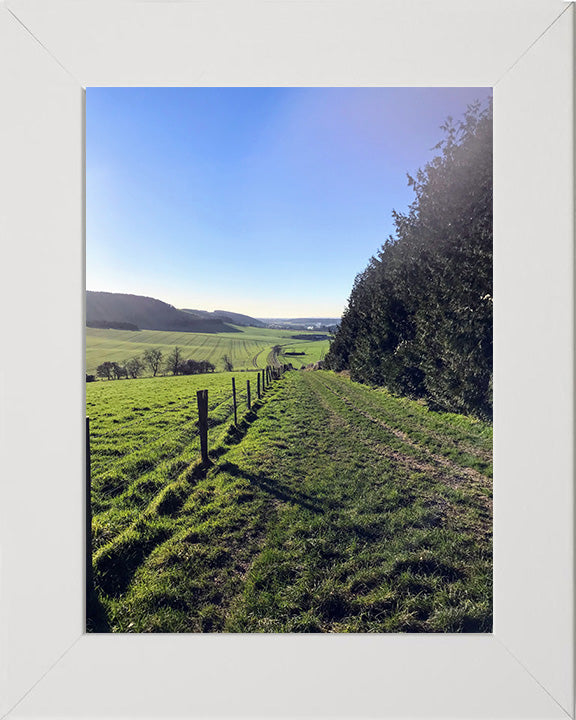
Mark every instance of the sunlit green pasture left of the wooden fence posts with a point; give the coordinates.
(143, 435)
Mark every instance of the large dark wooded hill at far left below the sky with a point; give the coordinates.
(114, 309)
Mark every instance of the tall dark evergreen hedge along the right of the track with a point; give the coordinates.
(419, 317)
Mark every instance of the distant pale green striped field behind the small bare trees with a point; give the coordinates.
(248, 348)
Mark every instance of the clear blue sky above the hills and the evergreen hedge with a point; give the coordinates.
(264, 201)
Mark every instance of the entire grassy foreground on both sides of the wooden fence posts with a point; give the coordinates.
(332, 507)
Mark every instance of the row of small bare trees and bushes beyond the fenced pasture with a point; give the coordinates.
(153, 361)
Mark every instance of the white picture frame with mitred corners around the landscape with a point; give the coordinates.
(50, 51)
